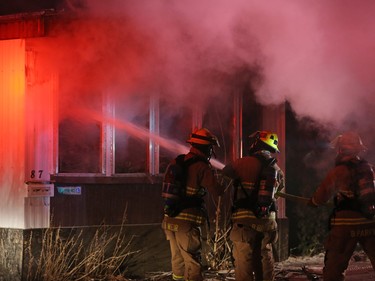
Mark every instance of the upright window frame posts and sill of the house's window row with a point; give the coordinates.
(152, 156)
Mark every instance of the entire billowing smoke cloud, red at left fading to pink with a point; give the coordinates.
(317, 55)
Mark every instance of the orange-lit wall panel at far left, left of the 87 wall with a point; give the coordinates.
(12, 133)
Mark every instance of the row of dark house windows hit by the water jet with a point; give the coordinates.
(123, 134)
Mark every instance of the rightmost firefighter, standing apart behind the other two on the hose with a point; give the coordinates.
(349, 223)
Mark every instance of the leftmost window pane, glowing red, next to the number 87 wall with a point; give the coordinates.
(79, 134)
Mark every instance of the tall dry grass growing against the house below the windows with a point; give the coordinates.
(82, 254)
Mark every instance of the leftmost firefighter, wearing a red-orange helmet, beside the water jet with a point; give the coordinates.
(182, 225)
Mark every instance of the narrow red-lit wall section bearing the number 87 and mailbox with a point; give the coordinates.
(41, 84)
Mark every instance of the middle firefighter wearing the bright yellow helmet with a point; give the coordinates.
(257, 178)
